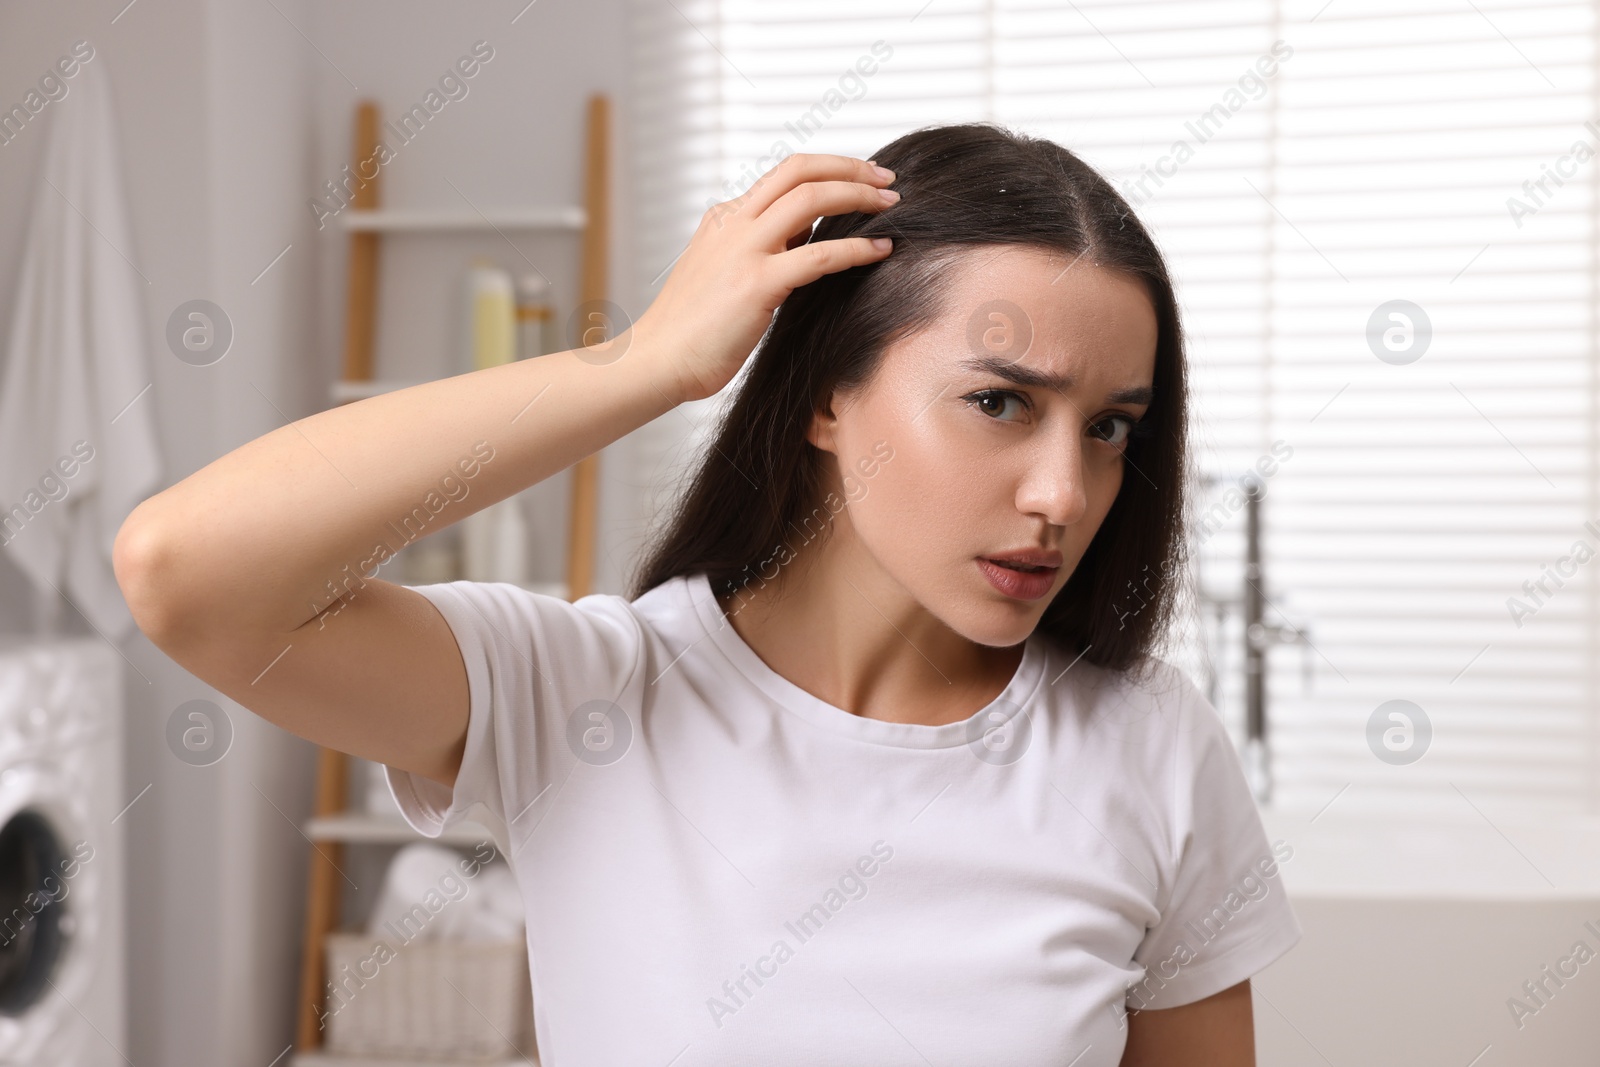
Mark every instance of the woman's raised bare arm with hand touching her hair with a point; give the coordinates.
(249, 573)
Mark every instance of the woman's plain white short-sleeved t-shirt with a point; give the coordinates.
(722, 869)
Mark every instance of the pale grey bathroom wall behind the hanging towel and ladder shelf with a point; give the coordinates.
(233, 116)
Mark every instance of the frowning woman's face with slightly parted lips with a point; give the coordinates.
(999, 430)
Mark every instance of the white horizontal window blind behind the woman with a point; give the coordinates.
(1380, 161)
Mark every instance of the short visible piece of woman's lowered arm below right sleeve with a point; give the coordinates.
(1215, 1033)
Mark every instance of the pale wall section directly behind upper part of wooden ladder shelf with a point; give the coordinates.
(511, 138)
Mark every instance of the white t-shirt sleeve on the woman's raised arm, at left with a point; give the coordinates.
(534, 661)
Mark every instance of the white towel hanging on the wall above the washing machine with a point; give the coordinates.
(78, 439)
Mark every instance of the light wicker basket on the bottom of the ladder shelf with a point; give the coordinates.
(433, 999)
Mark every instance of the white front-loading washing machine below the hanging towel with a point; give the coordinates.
(62, 860)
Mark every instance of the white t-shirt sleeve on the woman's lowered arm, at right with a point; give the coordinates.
(1226, 916)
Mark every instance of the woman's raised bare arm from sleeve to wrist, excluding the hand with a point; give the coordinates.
(249, 573)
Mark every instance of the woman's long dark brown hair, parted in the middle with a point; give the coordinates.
(962, 185)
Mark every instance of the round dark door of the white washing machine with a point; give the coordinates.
(33, 909)
